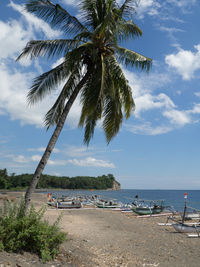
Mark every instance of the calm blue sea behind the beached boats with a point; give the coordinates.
(173, 198)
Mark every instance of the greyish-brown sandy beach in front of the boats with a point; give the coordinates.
(105, 238)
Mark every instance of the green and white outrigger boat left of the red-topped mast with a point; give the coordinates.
(147, 207)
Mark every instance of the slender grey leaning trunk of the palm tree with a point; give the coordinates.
(52, 142)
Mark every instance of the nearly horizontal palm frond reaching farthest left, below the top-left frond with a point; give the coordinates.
(49, 48)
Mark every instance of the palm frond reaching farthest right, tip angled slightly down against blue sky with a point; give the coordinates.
(134, 59)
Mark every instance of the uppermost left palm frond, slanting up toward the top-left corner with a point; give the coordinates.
(55, 15)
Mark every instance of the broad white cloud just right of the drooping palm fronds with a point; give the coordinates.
(144, 89)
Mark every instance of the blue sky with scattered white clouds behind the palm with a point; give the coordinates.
(158, 147)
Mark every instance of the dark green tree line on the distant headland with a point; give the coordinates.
(22, 181)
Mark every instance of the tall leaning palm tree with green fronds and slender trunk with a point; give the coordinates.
(91, 66)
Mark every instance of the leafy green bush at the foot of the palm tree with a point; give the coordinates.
(29, 233)
